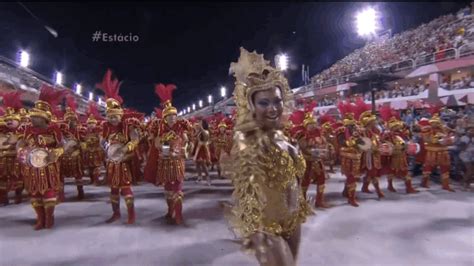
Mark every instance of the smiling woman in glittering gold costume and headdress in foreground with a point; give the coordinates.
(266, 169)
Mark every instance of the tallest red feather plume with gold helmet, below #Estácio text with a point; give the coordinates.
(111, 88)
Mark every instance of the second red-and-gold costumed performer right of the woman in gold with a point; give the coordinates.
(349, 139)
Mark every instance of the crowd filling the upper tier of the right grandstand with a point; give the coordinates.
(448, 31)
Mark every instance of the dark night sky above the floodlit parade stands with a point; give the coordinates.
(190, 44)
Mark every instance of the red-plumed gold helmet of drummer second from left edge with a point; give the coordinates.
(49, 98)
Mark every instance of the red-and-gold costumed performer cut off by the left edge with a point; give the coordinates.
(10, 175)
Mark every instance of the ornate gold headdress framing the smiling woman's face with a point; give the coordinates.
(253, 73)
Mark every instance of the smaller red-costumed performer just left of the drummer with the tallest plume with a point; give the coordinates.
(93, 153)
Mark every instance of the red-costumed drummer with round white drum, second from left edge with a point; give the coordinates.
(40, 149)
